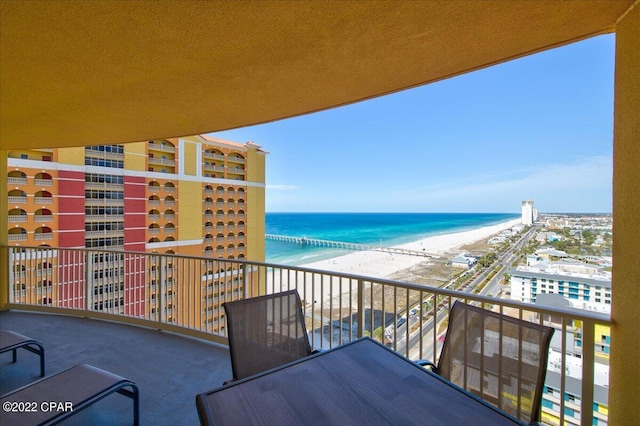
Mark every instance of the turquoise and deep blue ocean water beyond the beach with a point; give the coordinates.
(387, 229)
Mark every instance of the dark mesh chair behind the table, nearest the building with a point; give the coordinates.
(265, 332)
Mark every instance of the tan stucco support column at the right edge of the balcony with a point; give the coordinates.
(624, 398)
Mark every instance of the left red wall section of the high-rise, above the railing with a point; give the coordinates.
(70, 209)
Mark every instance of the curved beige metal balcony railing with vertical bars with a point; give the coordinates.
(409, 318)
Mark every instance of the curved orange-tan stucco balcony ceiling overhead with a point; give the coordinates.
(84, 73)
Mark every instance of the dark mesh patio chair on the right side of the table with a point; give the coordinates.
(498, 358)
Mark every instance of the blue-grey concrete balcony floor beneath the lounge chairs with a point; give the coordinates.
(169, 369)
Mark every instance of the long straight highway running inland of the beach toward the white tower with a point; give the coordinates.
(502, 263)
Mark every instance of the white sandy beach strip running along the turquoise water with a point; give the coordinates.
(382, 265)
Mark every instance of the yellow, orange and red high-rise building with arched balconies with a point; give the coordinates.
(194, 196)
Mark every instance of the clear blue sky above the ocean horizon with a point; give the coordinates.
(539, 127)
